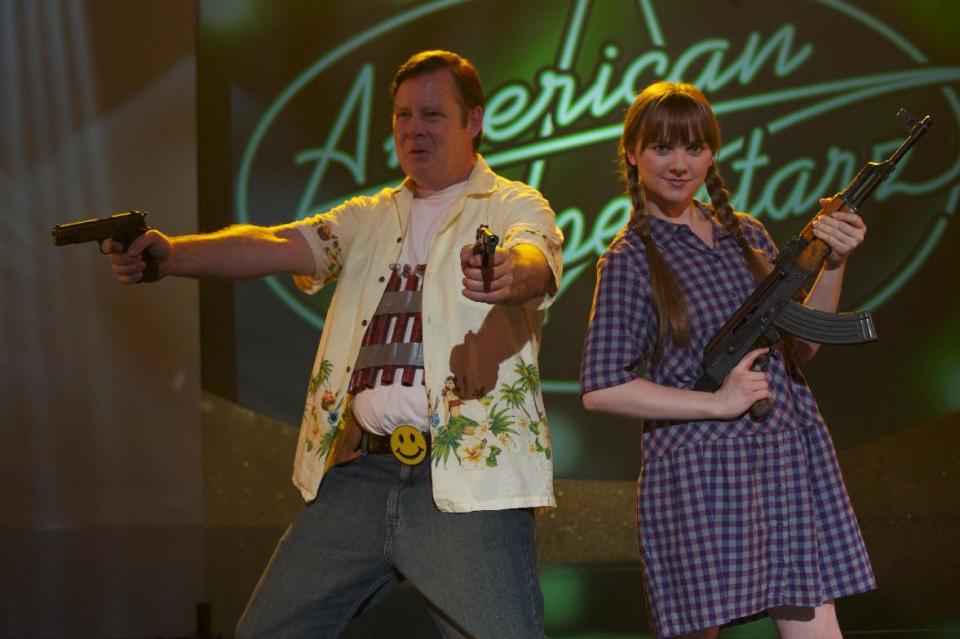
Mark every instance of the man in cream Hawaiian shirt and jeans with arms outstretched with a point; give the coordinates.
(423, 348)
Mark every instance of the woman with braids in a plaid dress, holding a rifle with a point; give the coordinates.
(738, 518)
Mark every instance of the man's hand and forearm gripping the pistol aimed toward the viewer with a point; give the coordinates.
(514, 276)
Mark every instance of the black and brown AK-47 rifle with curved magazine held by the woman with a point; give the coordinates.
(772, 307)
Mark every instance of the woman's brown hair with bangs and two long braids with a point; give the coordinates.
(676, 114)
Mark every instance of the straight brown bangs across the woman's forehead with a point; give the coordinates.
(677, 120)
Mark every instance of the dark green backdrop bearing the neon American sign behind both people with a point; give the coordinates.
(294, 103)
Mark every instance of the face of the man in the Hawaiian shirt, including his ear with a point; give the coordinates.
(434, 146)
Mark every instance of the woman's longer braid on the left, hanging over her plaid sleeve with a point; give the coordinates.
(667, 296)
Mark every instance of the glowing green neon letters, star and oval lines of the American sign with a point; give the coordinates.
(562, 100)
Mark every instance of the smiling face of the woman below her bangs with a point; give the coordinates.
(671, 173)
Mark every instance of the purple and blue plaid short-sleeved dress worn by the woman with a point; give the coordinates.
(735, 517)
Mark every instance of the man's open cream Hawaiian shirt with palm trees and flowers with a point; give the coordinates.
(490, 442)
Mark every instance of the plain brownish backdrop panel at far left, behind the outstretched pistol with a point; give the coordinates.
(101, 484)
